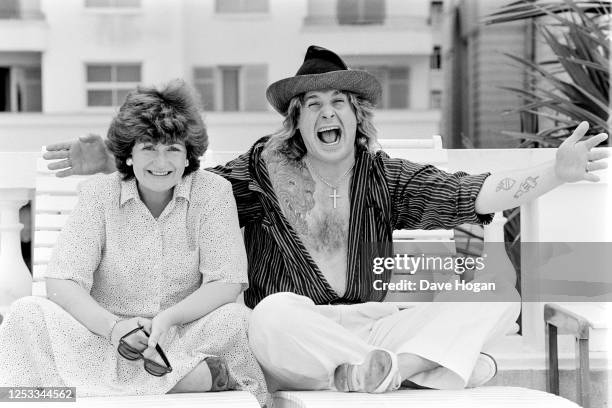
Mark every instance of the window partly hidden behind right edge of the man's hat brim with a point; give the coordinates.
(395, 85)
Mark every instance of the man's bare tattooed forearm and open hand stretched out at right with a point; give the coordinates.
(575, 160)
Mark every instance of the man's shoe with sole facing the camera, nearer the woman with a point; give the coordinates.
(377, 374)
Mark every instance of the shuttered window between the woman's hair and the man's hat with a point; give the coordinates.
(232, 88)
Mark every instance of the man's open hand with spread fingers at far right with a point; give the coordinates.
(576, 161)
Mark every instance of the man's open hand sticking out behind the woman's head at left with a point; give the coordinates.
(84, 156)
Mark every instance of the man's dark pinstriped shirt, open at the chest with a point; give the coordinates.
(386, 194)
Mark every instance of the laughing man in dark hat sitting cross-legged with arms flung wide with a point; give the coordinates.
(312, 197)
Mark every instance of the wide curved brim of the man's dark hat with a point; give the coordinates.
(279, 93)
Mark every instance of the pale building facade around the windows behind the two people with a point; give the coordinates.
(170, 37)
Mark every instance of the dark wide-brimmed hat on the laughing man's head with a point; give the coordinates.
(322, 69)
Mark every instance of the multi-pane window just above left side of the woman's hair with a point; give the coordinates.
(109, 84)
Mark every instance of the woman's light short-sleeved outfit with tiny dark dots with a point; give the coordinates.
(135, 265)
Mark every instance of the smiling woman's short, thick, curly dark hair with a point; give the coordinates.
(167, 114)
